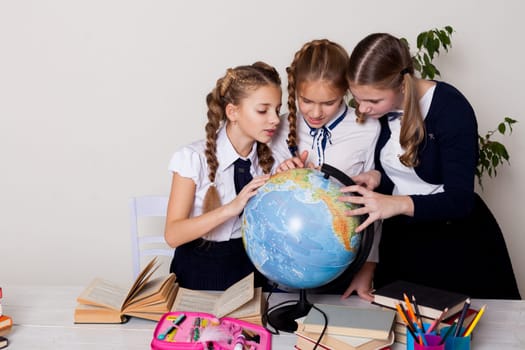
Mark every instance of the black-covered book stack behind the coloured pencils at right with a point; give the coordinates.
(431, 303)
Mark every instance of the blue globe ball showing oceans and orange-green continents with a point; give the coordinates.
(295, 230)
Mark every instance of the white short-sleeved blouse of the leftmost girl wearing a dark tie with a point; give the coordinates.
(190, 162)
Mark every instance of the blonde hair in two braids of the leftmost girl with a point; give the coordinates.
(233, 87)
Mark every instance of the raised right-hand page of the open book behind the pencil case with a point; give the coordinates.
(235, 296)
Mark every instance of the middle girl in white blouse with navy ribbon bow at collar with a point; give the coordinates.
(323, 128)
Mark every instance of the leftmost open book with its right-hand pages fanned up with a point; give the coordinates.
(106, 302)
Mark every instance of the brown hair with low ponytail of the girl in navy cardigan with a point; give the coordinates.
(384, 62)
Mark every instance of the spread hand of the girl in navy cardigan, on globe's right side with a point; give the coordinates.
(376, 205)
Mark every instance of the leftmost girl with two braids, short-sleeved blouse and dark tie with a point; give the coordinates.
(212, 179)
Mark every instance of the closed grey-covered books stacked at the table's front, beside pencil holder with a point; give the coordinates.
(348, 328)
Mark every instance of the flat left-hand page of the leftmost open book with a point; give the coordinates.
(103, 293)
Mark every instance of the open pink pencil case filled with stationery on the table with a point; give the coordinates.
(203, 331)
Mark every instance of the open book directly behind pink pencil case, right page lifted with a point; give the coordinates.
(241, 301)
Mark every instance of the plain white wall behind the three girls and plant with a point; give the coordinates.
(96, 95)
